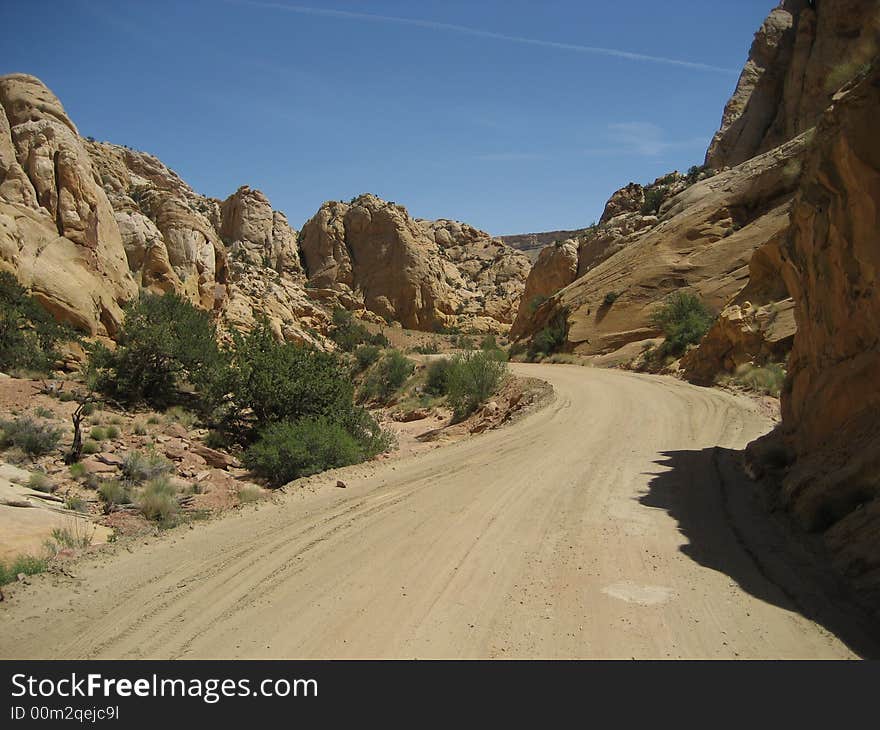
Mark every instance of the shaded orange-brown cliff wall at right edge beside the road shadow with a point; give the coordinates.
(831, 402)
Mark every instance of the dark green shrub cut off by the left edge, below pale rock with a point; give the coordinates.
(28, 334)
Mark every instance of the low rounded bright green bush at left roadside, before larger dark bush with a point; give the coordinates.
(289, 450)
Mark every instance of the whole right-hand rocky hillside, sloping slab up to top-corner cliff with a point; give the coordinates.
(718, 231)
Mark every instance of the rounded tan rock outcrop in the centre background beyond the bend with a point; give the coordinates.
(424, 274)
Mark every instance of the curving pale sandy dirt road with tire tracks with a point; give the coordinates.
(593, 528)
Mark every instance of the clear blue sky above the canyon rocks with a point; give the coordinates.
(513, 116)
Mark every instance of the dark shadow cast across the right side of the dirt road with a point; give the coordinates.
(729, 529)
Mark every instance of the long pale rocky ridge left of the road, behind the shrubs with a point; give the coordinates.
(85, 225)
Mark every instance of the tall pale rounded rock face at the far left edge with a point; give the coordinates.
(58, 233)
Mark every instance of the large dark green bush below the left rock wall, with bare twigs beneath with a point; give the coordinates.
(165, 343)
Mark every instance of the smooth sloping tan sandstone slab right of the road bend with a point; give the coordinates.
(702, 239)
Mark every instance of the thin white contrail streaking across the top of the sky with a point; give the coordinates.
(466, 30)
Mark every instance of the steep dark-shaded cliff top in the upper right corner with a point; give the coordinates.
(803, 53)
